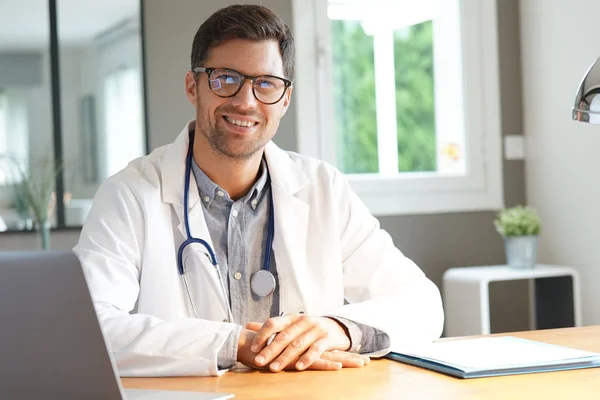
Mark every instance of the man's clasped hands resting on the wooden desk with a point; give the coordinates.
(301, 342)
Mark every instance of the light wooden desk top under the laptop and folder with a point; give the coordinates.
(384, 379)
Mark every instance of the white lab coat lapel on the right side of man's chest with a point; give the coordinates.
(291, 226)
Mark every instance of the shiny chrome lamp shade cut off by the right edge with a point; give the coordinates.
(587, 101)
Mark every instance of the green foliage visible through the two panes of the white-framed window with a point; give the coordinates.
(355, 105)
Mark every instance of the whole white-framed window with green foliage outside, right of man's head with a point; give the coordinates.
(407, 100)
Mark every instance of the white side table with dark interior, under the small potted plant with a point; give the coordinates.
(467, 303)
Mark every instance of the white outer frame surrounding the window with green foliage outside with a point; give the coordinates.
(415, 192)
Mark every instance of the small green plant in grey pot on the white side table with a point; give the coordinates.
(520, 227)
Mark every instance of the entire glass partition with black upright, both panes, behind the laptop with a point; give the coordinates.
(71, 103)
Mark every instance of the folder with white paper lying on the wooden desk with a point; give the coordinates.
(492, 356)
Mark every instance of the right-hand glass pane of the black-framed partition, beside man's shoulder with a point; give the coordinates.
(100, 51)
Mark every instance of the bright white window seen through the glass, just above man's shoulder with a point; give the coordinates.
(124, 119)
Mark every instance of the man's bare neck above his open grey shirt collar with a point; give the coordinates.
(235, 176)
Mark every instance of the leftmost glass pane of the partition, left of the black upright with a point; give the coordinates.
(26, 131)
